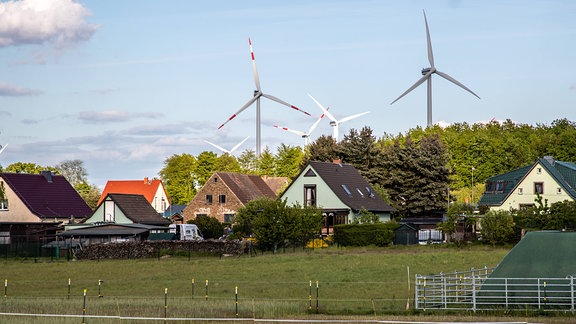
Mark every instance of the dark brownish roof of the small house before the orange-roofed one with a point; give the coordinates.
(137, 209)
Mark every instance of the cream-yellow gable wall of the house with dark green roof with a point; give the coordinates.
(524, 194)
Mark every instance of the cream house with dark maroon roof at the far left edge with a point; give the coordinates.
(44, 197)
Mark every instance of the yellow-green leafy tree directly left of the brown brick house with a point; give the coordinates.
(177, 177)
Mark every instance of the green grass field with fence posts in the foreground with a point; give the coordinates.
(364, 283)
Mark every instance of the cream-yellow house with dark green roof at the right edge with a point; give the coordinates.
(553, 180)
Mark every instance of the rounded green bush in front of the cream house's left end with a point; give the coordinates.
(497, 227)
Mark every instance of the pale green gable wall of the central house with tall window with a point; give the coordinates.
(325, 197)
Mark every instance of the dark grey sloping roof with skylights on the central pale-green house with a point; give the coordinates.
(350, 187)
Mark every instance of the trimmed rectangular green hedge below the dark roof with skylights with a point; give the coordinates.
(379, 234)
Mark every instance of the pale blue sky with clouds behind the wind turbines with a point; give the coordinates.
(123, 85)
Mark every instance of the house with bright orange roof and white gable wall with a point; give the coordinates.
(153, 190)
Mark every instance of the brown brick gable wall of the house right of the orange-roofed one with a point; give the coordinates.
(199, 206)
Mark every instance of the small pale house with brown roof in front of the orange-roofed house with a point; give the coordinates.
(119, 217)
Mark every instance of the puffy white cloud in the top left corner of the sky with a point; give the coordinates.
(57, 22)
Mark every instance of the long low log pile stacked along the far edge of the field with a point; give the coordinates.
(149, 249)
